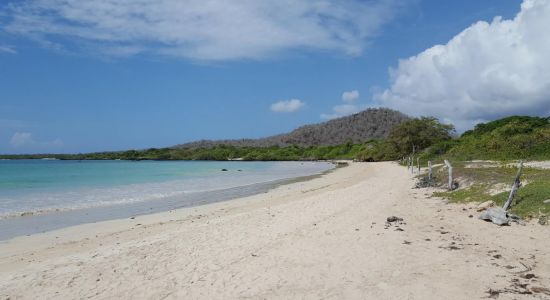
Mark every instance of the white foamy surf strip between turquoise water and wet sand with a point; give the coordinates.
(88, 197)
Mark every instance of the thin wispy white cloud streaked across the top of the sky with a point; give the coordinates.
(199, 29)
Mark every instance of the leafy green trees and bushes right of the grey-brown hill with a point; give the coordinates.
(511, 138)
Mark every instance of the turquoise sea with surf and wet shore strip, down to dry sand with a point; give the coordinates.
(42, 195)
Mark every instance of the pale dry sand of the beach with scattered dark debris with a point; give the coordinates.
(325, 238)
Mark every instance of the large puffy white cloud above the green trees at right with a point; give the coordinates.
(487, 71)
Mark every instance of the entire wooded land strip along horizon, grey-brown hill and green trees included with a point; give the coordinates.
(511, 138)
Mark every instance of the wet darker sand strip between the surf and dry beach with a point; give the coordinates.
(28, 225)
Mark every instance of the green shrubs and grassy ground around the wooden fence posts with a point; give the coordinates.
(484, 163)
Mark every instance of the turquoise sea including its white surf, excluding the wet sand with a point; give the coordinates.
(41, 186)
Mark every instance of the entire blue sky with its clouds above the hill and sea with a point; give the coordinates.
(75, 81)
